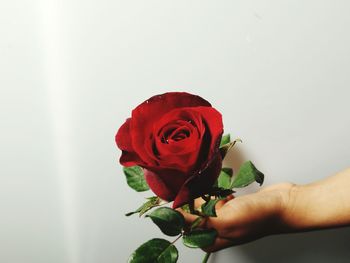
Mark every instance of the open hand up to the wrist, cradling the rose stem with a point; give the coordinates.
(246, 218)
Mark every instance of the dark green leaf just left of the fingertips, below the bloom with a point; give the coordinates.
(170, 221)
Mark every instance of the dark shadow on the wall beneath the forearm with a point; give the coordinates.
(320, 246)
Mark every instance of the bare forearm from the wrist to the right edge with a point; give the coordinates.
(319, 205)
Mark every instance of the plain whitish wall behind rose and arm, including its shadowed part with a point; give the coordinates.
(72, 70)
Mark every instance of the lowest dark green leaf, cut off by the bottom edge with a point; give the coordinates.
(155, 251)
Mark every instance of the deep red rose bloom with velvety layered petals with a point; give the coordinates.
(175, 137)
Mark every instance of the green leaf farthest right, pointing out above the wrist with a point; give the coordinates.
(246, 175)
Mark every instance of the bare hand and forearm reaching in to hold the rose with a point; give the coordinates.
(280, 208)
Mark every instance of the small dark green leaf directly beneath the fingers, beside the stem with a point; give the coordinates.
(199, 238)
